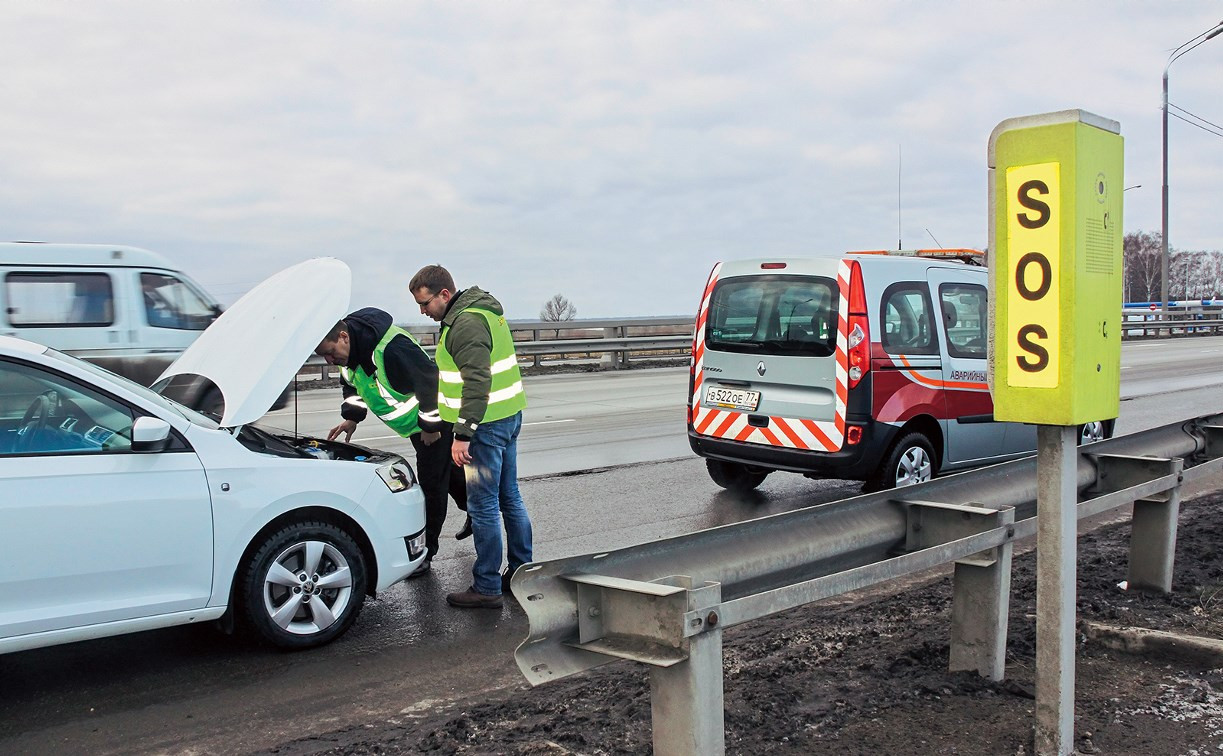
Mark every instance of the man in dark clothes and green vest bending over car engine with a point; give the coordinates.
(386, 371)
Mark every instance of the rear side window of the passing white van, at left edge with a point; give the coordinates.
(61, 299)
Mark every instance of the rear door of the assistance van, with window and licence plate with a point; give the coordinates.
(767, 366)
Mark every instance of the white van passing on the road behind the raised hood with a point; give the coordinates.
(124, 309)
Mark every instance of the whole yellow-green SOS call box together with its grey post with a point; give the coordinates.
(1056, 346)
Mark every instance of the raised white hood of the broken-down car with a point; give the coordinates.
(255, 349)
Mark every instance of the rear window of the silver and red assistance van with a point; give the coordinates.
(774, 315)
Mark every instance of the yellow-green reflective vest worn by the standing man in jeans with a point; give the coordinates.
(506, 395)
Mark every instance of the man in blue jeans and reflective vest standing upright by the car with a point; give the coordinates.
(481, 395)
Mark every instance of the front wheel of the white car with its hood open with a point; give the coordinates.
(293, 607)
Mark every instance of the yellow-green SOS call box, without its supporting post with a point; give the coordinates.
(1056, 269)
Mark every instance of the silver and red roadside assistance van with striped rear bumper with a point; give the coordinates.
(868, 366)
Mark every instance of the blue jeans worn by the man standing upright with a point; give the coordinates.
(493, 498)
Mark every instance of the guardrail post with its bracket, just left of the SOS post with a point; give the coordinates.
(981, 583)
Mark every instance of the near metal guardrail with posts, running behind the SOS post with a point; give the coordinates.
(666, 604)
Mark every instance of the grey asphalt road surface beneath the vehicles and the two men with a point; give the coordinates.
(607, 467)
